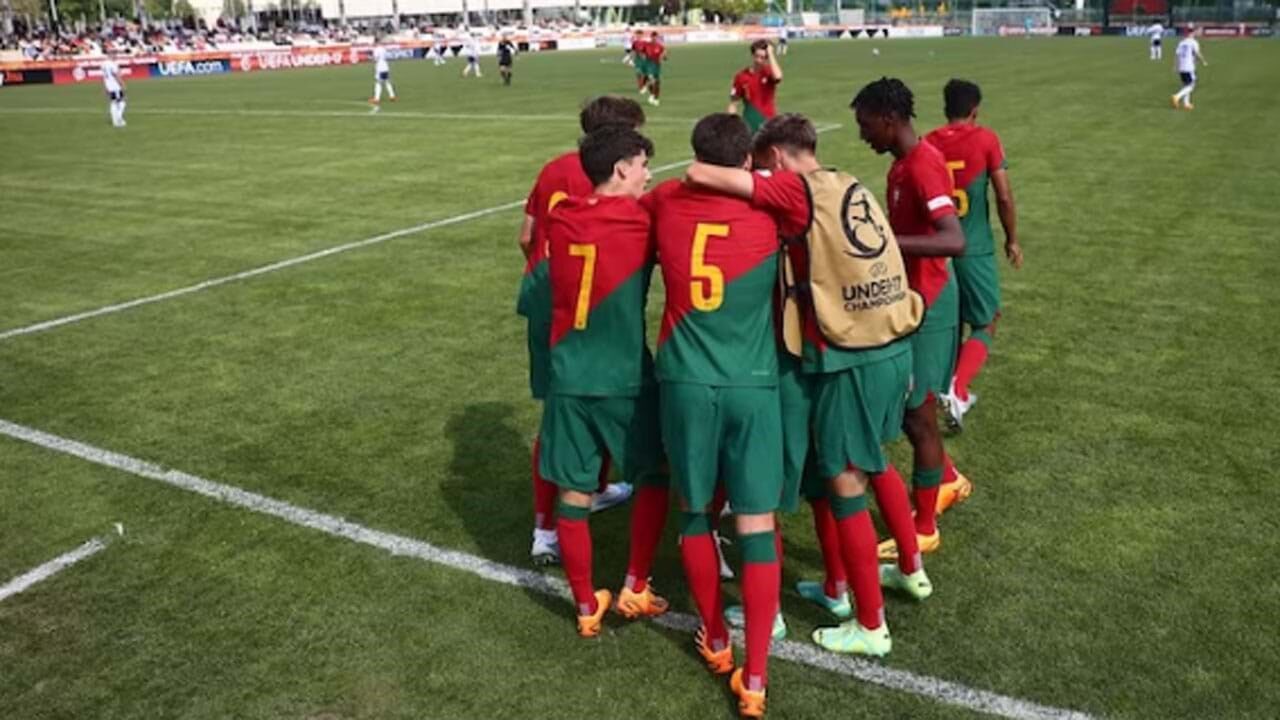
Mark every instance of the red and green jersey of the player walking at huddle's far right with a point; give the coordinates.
(972, 154)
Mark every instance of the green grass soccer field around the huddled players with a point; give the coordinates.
(1119, 558)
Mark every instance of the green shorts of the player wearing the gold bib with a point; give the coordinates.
(857, 412)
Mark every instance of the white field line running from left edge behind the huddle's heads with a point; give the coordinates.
(284, 265)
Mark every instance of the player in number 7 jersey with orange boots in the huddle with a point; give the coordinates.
(604, 400)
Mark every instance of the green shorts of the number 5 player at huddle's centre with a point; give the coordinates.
(730, 435)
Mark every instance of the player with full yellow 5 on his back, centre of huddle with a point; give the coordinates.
(719, 372)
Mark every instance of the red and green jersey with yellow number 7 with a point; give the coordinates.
(601, 263)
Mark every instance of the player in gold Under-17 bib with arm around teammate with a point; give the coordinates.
(852, 397)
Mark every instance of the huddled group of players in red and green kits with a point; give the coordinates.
(802, 332)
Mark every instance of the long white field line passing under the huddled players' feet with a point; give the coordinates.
(904, 681)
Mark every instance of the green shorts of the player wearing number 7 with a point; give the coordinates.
(578, 432)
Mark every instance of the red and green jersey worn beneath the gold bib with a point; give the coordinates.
(787, 197)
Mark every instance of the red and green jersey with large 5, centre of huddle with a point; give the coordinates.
(720, 263)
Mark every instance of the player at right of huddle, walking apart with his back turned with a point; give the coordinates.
(975, 160)
